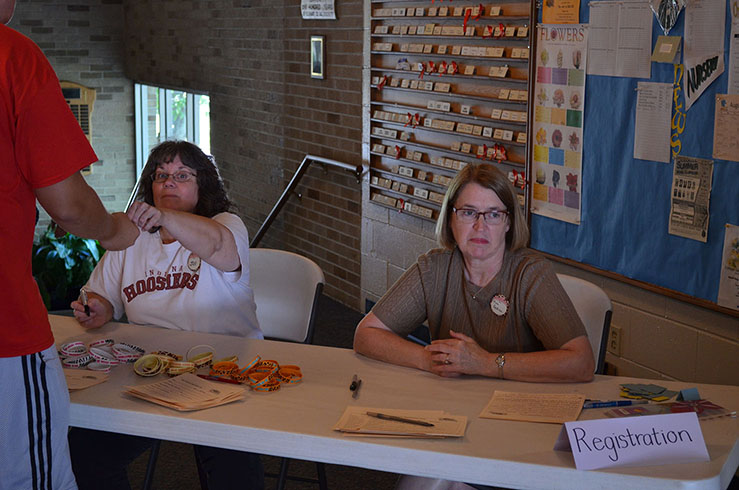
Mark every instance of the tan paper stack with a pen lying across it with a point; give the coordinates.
(365, 421)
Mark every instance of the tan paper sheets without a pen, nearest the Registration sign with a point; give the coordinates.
(553, 408)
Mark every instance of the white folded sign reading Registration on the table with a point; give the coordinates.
(634, 441)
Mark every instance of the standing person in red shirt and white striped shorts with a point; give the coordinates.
(42, 149)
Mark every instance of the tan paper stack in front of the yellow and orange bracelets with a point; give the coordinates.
(187, 392)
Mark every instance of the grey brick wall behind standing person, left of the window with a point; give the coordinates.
(84, 43)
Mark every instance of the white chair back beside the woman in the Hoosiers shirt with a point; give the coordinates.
(286, 290)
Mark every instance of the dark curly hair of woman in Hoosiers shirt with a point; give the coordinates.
(212, 197)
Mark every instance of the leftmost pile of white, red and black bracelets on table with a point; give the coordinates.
(100, 355)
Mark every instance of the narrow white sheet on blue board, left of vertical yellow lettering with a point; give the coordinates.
(652, 128)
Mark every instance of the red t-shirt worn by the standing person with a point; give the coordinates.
(41, 144)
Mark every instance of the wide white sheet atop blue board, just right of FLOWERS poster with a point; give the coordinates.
(620, 41)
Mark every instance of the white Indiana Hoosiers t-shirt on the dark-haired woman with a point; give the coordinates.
(167, 285)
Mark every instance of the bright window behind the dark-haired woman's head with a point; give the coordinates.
(164, 114)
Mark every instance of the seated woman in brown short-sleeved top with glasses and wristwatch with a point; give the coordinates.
(494, 307)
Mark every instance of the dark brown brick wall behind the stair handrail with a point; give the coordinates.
(252, 58)
